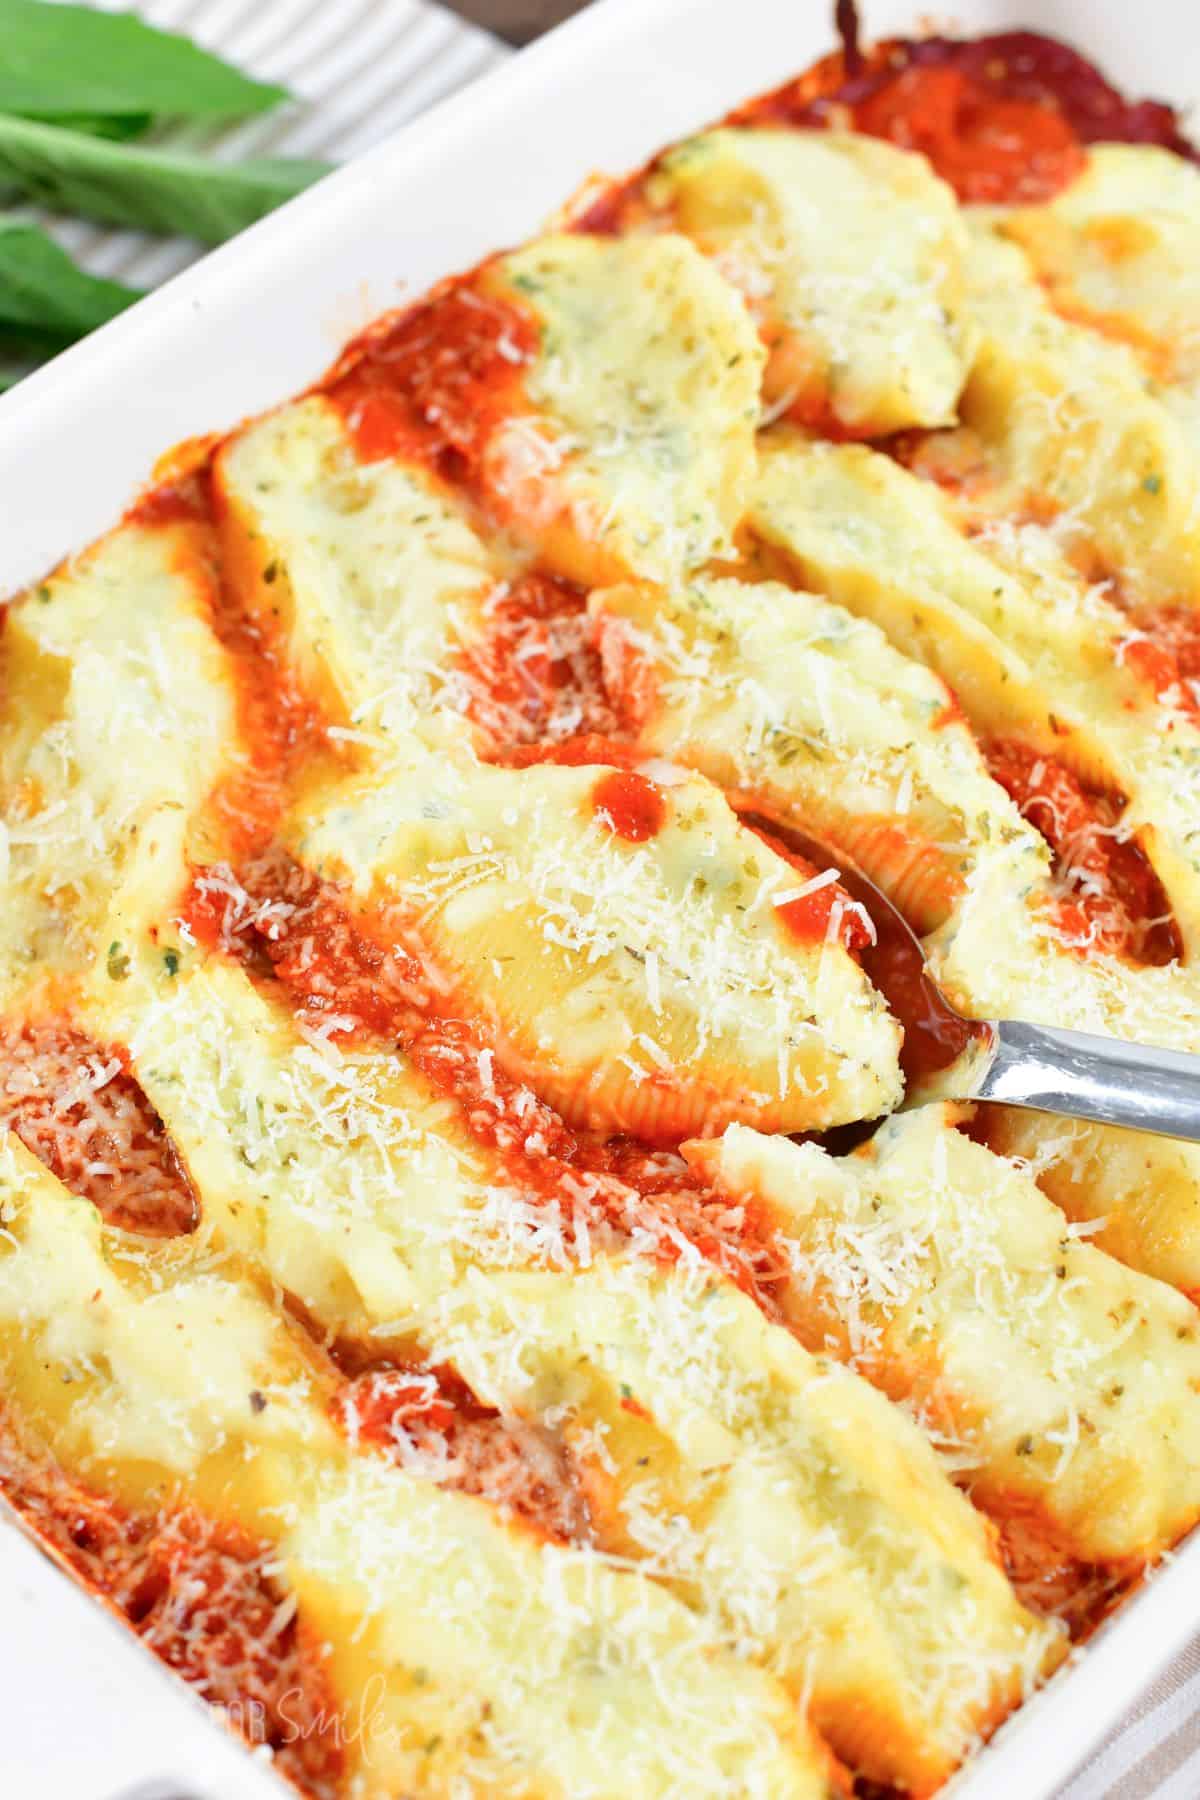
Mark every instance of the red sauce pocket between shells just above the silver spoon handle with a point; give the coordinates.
(1111, 897)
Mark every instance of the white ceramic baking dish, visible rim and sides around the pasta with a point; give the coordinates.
(264, 318)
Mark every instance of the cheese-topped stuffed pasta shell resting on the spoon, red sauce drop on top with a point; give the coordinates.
(638, 985)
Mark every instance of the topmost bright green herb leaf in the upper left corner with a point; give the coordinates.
(58, 60)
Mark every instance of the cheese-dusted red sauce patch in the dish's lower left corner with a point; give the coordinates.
(199, 1596)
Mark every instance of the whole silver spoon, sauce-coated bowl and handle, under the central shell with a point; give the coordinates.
(949, 1057)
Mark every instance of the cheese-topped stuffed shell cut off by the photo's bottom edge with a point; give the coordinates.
(523, 1669)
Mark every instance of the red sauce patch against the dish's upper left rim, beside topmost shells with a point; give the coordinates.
(436, 379)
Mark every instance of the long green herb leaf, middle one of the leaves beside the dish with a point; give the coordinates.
(156, 190)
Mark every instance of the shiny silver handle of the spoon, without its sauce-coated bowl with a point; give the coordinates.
(1089, 1077)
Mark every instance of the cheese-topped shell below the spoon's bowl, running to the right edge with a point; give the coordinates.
(1057, 1376)
